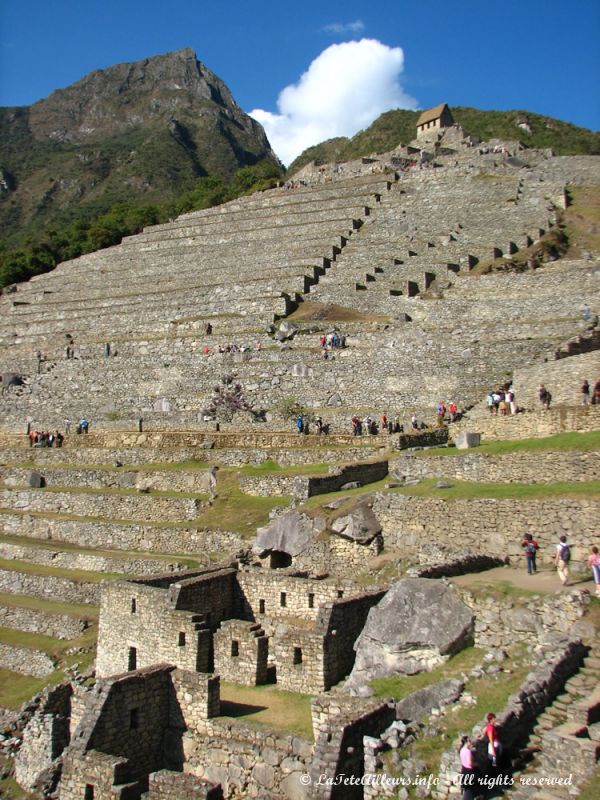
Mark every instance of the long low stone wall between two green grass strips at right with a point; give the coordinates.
(522, 467)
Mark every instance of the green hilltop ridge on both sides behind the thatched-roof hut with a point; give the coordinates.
(399, 126)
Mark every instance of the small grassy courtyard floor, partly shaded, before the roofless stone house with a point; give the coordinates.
(267, 707)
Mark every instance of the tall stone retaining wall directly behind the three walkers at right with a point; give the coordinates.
(431, 529)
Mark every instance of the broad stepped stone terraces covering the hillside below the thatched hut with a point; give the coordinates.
(370, 242)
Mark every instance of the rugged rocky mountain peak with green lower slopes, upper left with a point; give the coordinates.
(139, 133)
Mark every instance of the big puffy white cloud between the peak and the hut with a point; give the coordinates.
(344, 89)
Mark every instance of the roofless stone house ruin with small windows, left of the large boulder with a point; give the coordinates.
(247, 625)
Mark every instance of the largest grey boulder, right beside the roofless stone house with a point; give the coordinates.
(417, 625)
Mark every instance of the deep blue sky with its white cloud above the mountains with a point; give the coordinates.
(536, 55)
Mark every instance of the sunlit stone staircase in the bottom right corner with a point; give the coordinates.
(565, 743)
